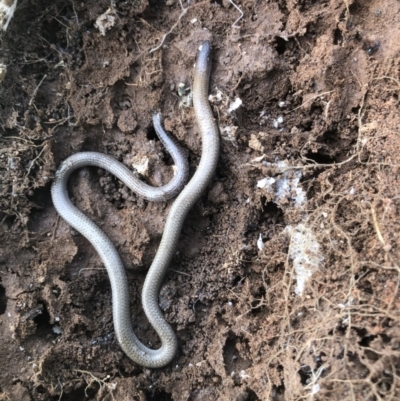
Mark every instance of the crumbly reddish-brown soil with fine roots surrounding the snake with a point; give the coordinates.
(306, 185)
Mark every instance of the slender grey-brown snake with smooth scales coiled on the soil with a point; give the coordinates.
(190, 194)
